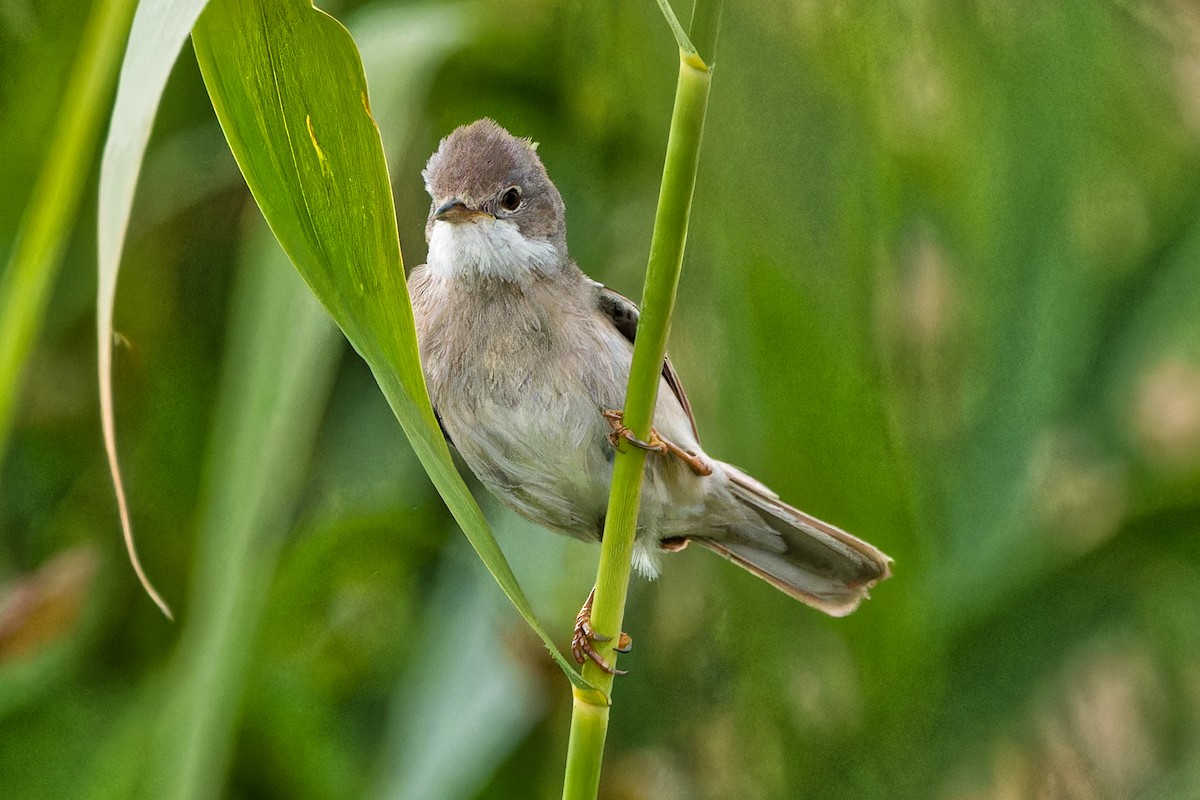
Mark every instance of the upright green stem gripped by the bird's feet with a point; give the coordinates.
(590, 720)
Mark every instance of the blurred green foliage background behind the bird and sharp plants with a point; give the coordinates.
(943, 290)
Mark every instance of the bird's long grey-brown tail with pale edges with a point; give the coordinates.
(812, 561)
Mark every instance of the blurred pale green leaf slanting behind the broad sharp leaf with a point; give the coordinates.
(281, 358)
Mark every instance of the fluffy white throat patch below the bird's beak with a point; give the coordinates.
(489, 248)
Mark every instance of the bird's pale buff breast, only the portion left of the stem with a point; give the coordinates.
(509, 386)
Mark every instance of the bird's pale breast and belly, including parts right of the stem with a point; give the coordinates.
(520, 378)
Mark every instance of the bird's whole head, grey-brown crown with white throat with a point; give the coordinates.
(495, 212)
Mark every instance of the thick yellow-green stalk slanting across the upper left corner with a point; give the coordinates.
(34, 266)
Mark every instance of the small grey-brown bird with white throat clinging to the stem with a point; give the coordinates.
(527, 362)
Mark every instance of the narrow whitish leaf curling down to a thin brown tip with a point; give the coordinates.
(160, 28)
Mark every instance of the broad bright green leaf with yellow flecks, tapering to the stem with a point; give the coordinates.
(289, 88)
